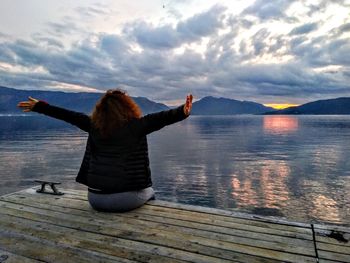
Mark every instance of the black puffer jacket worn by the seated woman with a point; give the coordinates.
(120, 163)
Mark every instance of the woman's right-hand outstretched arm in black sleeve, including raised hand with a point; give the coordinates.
(156, 121)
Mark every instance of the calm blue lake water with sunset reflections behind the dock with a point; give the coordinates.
(295, 167)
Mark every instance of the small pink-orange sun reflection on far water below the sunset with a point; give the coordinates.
(280, 124)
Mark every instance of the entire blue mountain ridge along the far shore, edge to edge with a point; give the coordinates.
(85, 101)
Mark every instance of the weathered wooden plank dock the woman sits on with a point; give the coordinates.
(46, 228)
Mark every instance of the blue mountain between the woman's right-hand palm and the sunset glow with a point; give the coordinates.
(223, 106)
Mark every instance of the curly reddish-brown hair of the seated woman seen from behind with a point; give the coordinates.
(114, 109)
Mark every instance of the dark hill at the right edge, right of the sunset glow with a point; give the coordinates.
(337, 106)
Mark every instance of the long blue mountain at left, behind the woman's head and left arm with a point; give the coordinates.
(81, 101)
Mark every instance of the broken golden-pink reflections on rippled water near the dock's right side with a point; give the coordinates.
(268, 188)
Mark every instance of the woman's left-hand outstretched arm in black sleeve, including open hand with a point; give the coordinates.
(78, 119)
